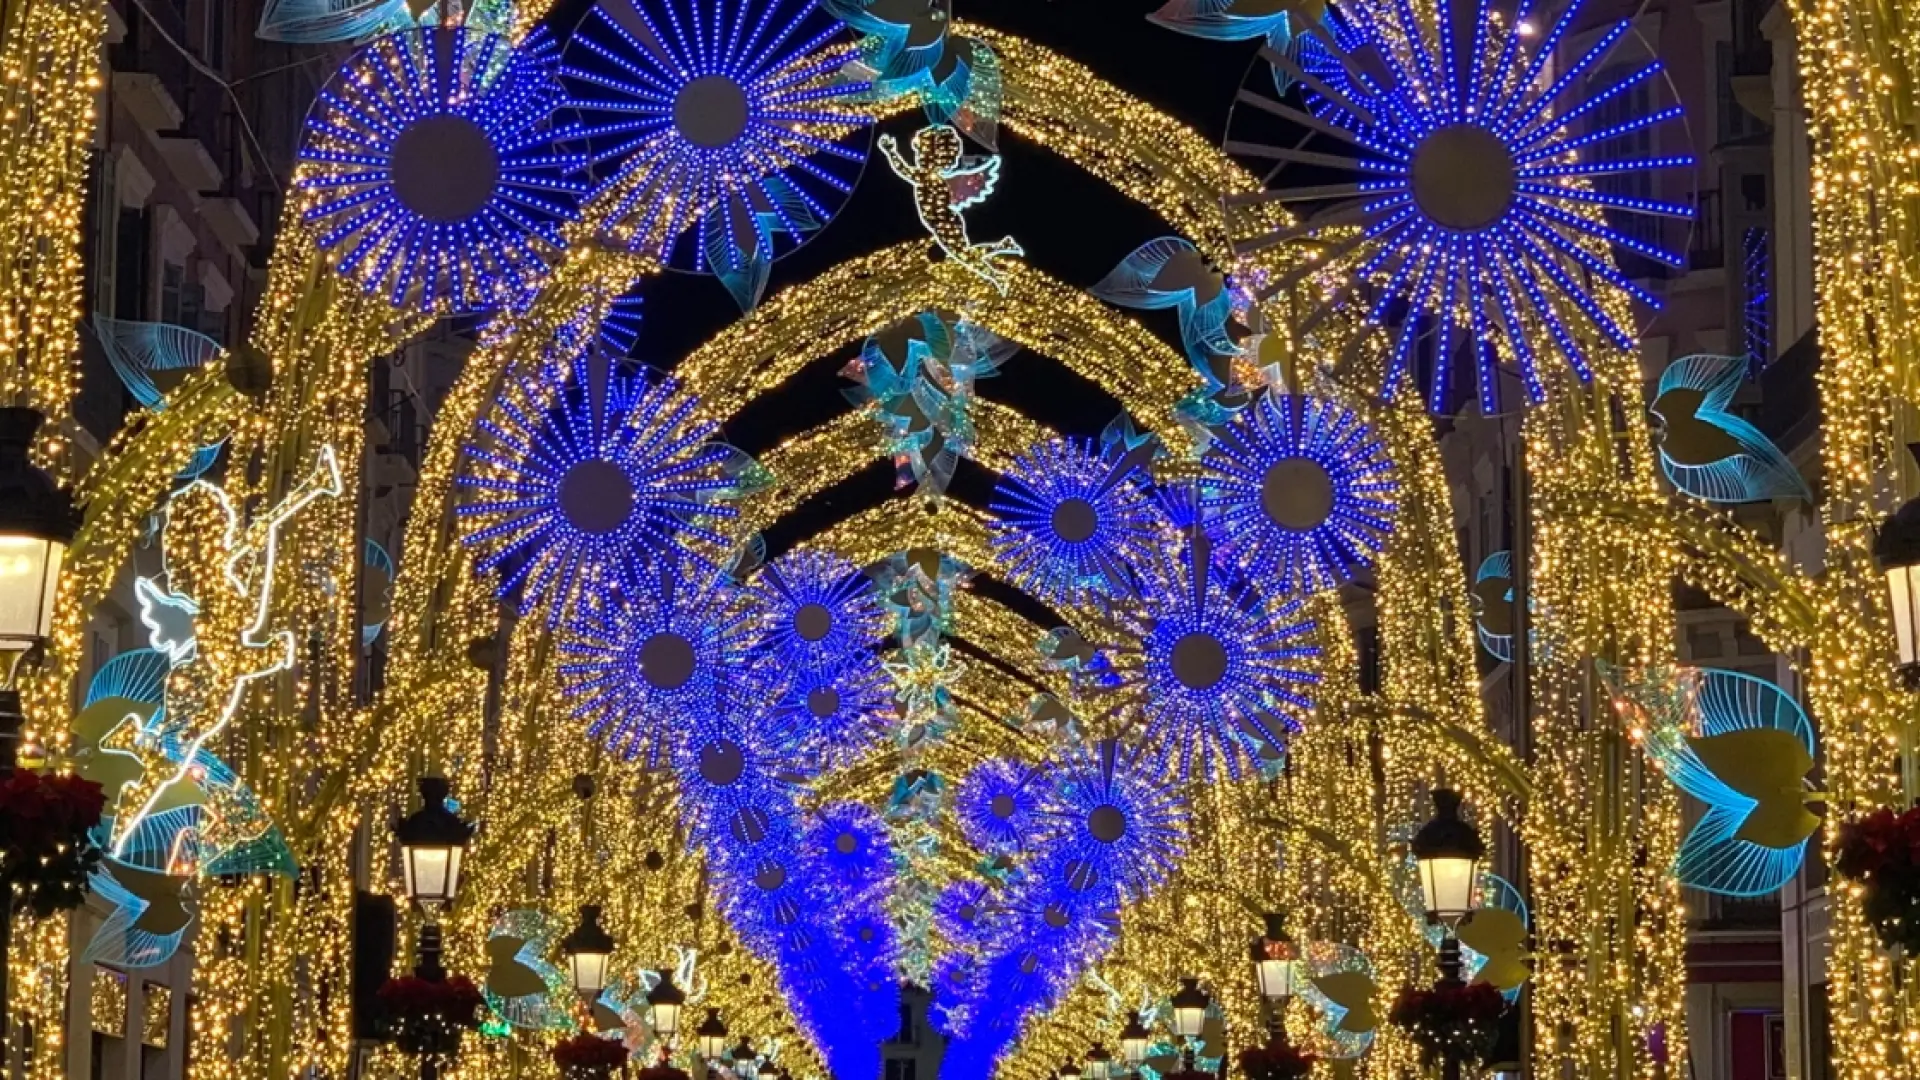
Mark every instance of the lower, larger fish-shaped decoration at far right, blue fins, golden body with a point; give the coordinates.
(1744, 749)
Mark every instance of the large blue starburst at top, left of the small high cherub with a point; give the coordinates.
(723, 128)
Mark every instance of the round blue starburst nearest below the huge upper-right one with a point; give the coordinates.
(1301, 491)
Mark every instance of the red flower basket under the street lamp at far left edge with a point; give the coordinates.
(45, 847)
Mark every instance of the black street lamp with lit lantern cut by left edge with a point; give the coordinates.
(37, 524)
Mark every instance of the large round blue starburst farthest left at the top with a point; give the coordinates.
(431, 172)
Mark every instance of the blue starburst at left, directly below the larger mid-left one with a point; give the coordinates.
(673, 647)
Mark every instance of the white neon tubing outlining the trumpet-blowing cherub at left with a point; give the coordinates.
(325, 481)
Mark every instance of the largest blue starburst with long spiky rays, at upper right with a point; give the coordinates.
(1470, 201)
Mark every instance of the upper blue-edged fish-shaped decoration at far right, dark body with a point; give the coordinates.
(1710, 453)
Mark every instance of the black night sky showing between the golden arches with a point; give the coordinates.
(1070, 224)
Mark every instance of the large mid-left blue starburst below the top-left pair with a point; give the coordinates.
(594, 476)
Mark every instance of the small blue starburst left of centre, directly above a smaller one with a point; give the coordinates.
(821, 612)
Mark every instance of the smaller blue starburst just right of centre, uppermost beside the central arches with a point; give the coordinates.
(1072, 520)
